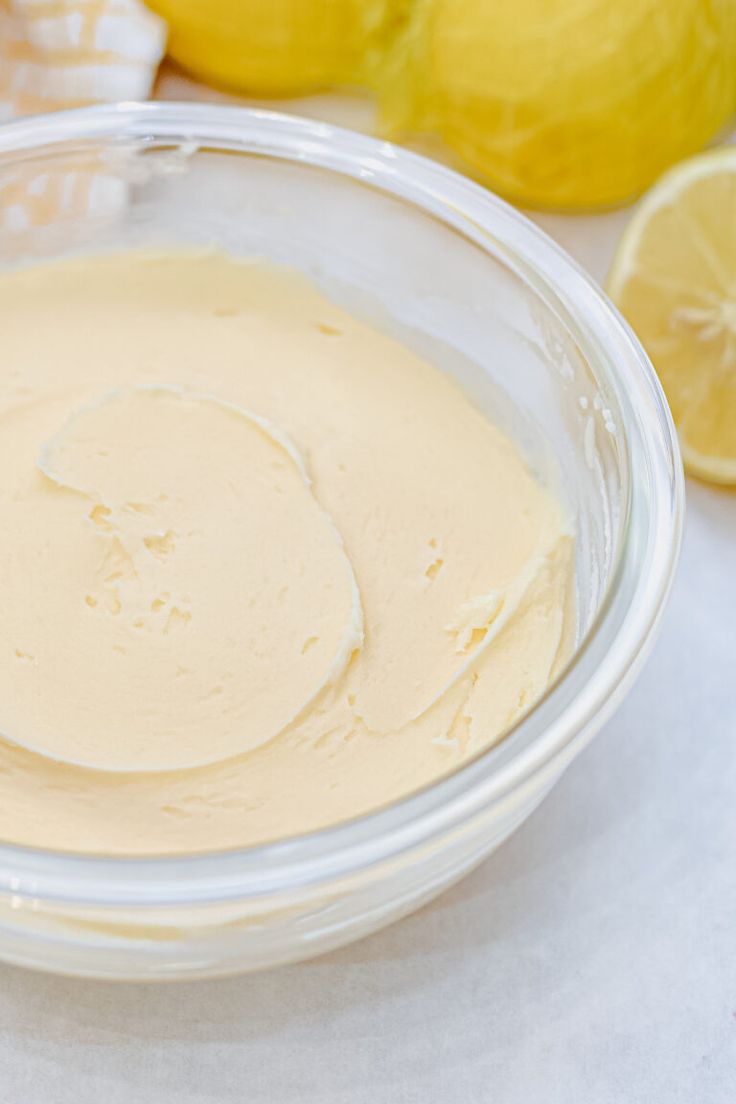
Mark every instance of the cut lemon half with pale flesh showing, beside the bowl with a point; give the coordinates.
(675, 279)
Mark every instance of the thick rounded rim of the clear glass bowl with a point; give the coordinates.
(623, 631)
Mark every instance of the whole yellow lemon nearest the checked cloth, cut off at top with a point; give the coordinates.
(279, 47)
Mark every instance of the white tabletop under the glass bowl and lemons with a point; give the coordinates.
(591, 961)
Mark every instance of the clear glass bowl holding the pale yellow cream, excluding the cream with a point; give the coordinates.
(476, 288)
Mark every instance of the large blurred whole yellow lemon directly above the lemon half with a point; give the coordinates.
(566, 103)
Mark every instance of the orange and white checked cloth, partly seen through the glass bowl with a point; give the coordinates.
(68, 54)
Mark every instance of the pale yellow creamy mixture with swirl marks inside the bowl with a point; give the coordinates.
(263, 568)
